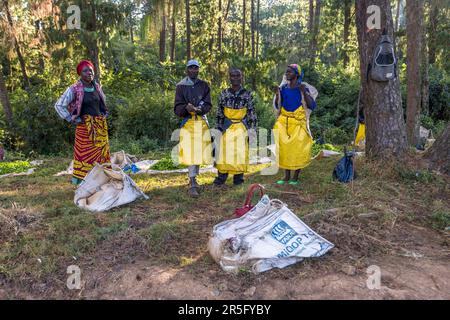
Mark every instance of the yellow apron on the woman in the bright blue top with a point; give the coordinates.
(293, 141)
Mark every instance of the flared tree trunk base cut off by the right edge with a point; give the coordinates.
(439, 153)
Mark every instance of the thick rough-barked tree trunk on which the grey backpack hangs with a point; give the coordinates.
(385, 126)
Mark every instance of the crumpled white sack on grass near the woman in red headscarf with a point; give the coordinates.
(105, 188)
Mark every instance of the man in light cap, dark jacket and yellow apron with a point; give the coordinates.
(192, 103)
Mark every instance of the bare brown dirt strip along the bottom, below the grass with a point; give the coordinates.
(421, 272)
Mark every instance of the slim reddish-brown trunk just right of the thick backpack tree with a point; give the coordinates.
(414, 17)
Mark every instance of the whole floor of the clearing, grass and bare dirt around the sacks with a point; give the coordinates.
(157, 249)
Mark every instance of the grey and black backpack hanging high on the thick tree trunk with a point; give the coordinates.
(384, 63)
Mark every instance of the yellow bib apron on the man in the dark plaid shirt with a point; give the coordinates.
(233, 153)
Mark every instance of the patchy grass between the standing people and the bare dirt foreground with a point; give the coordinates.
(45, 231)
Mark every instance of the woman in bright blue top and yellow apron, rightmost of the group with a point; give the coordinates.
(292, 135)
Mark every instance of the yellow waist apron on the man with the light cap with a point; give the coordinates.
(195, 142)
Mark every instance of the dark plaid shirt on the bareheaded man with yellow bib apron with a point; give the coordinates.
(237, 100)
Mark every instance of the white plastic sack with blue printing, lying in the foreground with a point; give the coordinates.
(268, 236)
